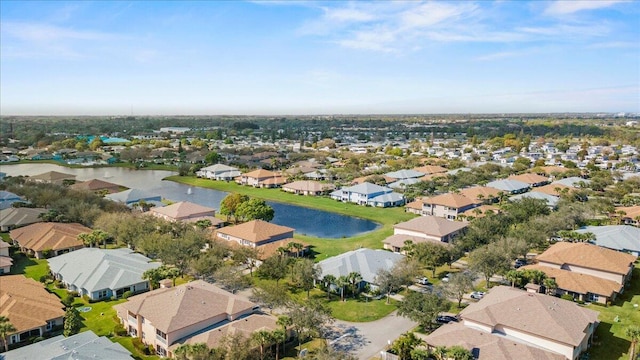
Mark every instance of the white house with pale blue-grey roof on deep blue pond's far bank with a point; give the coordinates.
(368, 194)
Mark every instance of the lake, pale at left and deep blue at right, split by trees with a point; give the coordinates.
(306, 221)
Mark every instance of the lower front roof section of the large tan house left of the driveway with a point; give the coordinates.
(245, 327)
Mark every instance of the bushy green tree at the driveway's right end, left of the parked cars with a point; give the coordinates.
(422, 308)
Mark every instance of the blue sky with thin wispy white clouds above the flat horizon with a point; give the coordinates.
(290, 57)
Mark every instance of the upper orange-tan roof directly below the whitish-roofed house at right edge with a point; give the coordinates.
(587, 255)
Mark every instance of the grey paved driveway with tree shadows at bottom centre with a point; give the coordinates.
(366, 340)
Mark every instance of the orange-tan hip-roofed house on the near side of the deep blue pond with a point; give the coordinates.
(254, 233)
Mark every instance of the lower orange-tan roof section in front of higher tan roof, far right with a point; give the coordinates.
(577, 282)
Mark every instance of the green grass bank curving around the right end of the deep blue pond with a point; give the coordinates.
(321, 247)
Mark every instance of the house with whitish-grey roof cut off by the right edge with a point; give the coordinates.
(625, 238)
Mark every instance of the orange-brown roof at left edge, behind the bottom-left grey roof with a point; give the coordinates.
(26, 302)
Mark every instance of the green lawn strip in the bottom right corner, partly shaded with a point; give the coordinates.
(611, 343)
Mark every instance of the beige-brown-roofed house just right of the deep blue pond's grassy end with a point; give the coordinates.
(424, 229)
